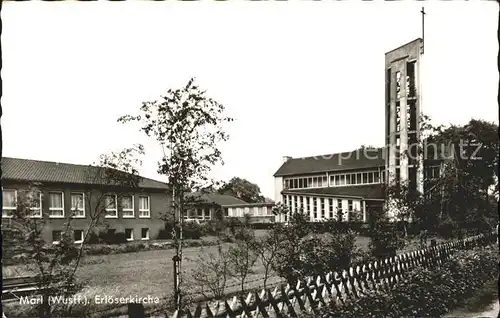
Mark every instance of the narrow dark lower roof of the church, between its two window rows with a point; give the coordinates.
(366, 192)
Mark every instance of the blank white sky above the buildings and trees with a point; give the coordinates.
(299, 78)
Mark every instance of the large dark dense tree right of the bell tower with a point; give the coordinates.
(470, 177)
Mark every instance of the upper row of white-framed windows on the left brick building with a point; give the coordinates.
(57, 209)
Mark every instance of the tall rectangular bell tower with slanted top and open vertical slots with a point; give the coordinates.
(402, 113)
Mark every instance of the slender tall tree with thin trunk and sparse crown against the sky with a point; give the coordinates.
(188, 125)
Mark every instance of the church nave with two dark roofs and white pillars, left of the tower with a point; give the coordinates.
(342, 186)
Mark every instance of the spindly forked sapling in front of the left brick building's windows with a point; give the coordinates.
(55, 265)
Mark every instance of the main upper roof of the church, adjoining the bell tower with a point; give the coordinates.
(357, 159)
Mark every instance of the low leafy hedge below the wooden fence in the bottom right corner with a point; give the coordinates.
(427, 292)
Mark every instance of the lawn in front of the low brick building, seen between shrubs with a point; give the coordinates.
(147, 273)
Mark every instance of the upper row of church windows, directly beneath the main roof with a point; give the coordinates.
(336, 180)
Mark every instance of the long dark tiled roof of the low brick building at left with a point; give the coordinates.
(45, 171)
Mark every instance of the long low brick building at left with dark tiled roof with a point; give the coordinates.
(63, 192)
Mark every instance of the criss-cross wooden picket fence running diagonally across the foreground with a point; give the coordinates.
(335, 287)
